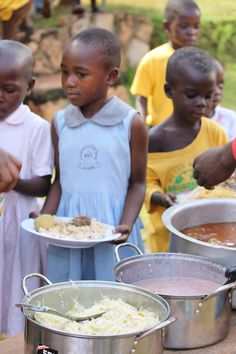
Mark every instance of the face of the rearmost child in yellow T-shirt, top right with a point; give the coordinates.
(184, 29)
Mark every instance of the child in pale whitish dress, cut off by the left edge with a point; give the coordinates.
(26, 136)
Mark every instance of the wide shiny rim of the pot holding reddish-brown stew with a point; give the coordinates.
(175, 209)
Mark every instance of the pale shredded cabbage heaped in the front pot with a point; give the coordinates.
(119, 318)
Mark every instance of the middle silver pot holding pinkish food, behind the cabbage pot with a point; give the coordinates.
(201, 321)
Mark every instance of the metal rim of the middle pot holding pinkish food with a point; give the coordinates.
(167, 255)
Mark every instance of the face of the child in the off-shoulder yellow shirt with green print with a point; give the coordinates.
(192, 95)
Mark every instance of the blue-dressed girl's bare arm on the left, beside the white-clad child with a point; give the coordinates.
(54, 194)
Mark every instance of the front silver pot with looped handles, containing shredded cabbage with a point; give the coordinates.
(60, 295)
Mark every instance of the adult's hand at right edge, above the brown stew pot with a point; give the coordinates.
(215, 165)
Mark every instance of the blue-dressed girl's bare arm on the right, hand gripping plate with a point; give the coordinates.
(136, 190)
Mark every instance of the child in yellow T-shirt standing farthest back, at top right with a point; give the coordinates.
(182, 25)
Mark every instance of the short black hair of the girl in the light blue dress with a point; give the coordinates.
(106, 42)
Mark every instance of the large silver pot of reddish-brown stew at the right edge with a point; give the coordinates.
(198, 212)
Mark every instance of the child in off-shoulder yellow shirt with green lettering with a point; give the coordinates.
(173, 145)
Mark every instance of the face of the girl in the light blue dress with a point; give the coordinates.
(85, 79)
